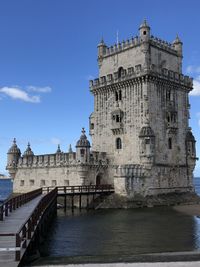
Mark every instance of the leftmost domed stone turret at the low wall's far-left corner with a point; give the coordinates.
(13, 156)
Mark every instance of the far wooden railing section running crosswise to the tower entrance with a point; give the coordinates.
(80, 189)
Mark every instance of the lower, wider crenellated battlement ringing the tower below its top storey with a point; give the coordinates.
(137, 71)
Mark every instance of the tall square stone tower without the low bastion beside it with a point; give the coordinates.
(141, 113)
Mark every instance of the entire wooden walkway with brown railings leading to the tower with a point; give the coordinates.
(23, 218)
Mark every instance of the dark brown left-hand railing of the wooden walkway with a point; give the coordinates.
(15, 202)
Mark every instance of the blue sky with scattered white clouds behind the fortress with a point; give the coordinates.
(48, 52)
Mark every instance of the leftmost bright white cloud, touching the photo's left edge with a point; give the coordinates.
(17, 93)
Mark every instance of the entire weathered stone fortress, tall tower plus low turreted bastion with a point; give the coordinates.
(141, 140)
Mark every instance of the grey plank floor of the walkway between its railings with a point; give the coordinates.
(10, 225)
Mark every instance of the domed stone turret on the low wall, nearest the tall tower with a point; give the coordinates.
(83, 148)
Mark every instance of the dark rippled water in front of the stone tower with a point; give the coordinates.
(110, 234)
